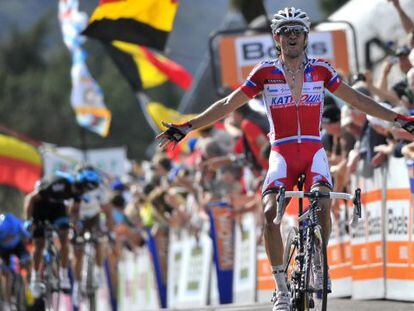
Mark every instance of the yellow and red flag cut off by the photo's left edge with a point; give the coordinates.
(20, 164)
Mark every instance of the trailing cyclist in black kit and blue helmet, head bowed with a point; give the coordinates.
(48, 203)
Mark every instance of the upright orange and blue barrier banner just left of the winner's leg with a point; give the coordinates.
(222, 234)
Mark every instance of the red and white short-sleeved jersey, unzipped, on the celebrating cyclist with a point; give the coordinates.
(289, 120)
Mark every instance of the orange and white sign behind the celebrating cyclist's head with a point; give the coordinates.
(240, 53)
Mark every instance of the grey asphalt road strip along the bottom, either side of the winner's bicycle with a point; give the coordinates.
(333, 305)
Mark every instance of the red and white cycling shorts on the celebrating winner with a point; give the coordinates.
(290, 159)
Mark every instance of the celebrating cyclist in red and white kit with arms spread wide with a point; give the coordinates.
(293, 89)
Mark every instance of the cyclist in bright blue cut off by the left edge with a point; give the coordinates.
(13, 241)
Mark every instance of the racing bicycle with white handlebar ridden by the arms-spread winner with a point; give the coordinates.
(305, 245)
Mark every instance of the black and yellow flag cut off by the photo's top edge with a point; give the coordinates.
(144, 22)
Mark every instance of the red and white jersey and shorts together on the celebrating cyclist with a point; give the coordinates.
(294, 126)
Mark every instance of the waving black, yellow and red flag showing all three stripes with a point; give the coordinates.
(146, 69)
